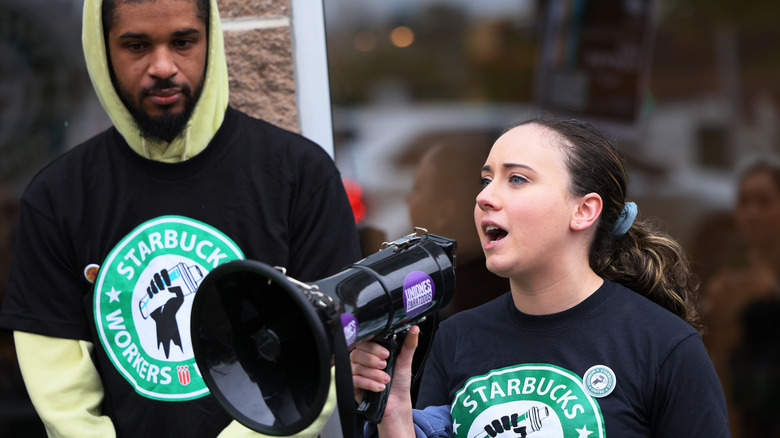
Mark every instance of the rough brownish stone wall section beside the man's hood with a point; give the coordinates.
(258, 45)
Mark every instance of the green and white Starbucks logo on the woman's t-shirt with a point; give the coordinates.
(530, 400)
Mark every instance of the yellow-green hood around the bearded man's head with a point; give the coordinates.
(209, 110)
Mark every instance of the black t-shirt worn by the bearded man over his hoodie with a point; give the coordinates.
(256, 192)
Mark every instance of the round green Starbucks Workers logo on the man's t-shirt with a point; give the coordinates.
(143, 298)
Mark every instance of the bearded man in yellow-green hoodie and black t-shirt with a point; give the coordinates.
(116, 234)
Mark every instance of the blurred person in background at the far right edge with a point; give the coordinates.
(741, 306)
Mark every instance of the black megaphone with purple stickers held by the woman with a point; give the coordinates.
(264, 342)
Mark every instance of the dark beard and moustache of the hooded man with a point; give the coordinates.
(166, 127)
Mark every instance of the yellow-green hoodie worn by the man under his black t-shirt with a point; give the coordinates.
(60, 374)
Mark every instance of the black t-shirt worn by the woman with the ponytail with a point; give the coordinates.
(615, 365)
